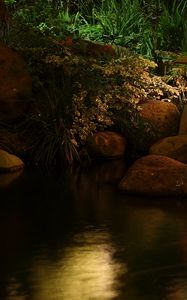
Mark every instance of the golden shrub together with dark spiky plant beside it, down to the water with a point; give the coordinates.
(77, 95)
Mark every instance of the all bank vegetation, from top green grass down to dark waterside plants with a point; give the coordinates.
(81, 87)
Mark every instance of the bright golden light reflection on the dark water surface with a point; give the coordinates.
(85, 270)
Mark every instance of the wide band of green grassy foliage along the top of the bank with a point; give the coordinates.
(142, 26)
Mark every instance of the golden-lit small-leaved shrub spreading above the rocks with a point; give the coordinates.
(107, 87)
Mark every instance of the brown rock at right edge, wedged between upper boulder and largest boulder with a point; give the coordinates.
(174, 147)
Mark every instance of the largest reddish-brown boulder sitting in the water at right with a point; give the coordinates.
(156, 175)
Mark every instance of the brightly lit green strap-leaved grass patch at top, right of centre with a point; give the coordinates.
(121, 23)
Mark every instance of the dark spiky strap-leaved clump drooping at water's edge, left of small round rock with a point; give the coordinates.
(48, 141)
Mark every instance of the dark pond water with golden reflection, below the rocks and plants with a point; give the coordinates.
(73, 236)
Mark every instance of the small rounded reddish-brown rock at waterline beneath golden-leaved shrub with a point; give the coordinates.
(107, 144)
